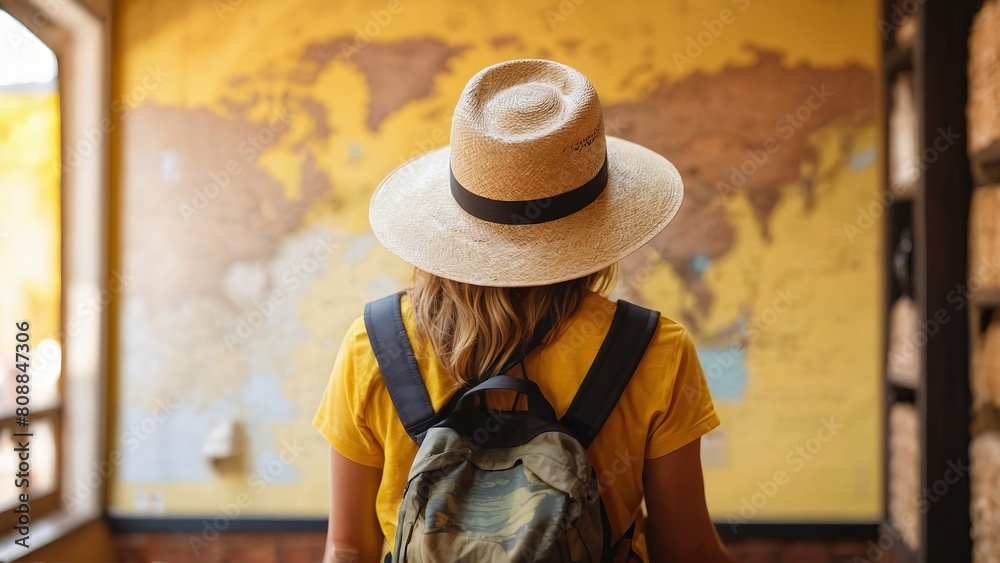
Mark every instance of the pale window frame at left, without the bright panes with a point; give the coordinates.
(80, 38)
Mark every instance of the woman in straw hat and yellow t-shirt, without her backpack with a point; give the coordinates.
(523, 218)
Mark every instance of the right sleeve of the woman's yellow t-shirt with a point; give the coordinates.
(689, 412)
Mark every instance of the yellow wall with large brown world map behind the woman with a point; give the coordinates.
(252, 134)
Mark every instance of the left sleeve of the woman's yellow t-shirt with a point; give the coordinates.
(341, 415)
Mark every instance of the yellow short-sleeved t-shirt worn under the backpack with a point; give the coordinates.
(666, 405)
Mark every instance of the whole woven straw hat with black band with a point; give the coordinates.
(530, 191)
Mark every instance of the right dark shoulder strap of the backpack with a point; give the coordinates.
(631, 331)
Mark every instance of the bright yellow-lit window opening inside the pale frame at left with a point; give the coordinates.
(30, 287)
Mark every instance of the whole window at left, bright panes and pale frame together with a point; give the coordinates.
(54, 248)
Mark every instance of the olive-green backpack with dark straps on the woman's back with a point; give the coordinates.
(498, 485)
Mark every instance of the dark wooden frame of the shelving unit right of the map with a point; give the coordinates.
(936, 55)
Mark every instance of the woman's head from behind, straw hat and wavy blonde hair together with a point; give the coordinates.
(530, 190)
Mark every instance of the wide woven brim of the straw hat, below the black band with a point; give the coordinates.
(414, 215)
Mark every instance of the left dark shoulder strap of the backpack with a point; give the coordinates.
(398, 364)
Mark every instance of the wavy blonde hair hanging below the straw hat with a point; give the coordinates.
(475, 329)
